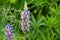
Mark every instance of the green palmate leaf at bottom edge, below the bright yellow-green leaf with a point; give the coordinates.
(47, 36)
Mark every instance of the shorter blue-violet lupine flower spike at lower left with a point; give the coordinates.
(9, 32)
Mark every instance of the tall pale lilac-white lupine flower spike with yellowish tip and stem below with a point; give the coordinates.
(25, 16)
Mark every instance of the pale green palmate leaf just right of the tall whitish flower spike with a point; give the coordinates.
(36, 23)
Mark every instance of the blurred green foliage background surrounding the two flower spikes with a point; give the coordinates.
(44, 19)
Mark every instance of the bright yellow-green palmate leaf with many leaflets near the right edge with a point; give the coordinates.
(51, 21)
